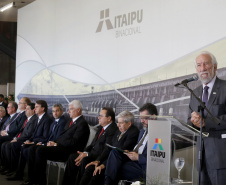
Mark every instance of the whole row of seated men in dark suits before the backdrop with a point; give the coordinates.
(31, 137)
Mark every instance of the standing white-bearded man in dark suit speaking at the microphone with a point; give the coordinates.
(213, 93)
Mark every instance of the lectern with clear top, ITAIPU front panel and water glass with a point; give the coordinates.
(170, 139)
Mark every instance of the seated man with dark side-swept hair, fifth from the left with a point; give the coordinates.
(40, 134)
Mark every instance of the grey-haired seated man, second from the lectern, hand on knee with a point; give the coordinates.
(125, 138)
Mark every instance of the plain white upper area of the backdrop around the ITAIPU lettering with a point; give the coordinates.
(64, 31)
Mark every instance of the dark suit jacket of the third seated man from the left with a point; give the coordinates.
(15, 127)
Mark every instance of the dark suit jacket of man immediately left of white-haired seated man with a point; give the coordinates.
(58, 129)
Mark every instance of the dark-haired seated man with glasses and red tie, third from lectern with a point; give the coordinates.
(96, 150)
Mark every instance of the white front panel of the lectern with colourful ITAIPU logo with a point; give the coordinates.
(158, 155)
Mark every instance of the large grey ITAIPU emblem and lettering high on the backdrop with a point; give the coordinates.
(119, 20)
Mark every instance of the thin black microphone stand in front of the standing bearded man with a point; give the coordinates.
(201, 109)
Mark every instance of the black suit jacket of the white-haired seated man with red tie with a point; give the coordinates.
(75, 137)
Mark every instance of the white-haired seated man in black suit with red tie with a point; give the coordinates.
(73, 138)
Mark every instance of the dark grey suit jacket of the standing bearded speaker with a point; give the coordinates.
(214, 145)
